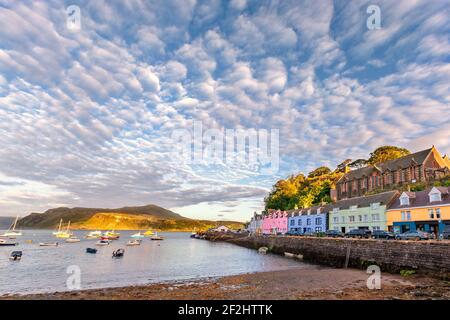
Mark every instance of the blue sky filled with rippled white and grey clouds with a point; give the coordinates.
(87, 116)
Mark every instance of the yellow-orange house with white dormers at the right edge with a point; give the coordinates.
(427, 210)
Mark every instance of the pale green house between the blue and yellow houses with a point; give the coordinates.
(367, 212)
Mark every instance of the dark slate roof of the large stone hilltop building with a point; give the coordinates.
(391, 165)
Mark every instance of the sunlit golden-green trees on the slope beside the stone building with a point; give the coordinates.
(300, 191)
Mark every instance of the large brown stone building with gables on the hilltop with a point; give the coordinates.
(421, 166)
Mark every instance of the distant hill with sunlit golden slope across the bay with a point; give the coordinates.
(126, 218)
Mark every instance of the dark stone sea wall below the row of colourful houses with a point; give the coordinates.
(427, 257)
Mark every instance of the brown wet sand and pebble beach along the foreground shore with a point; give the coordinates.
(314, 282)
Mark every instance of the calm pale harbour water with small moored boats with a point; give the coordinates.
(43, 269)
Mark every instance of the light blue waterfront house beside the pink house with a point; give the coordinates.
(314, 219)
